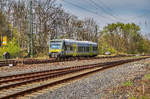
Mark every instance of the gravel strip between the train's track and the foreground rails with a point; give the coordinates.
(5, 71)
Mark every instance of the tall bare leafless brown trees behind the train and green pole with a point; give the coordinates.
(50, 21)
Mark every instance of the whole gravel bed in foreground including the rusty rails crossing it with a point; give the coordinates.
(79, 79)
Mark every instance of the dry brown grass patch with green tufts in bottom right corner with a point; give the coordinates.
(138, 88)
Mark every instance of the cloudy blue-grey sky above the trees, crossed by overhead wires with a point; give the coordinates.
(109, 11)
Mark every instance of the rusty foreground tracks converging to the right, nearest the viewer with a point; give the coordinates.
(19, 85)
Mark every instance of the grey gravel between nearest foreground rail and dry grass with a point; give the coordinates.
(94, 86)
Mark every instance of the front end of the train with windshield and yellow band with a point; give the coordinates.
(55, 49)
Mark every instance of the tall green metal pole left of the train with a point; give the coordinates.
(31, 31)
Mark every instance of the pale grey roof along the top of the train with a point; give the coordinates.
(75, 41)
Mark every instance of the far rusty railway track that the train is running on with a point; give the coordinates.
(41, 61)
